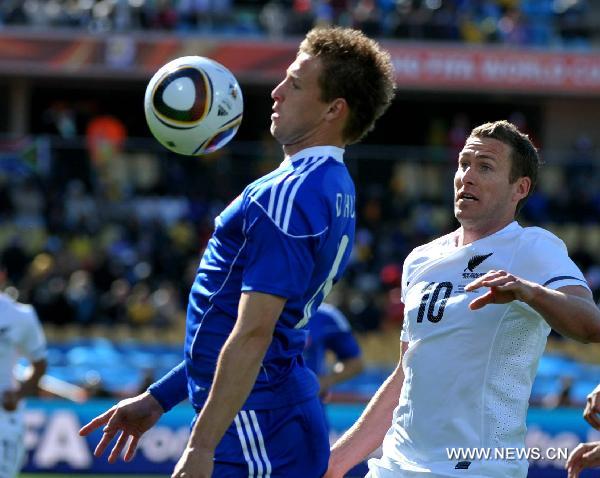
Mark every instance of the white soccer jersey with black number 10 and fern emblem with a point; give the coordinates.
(468, 374)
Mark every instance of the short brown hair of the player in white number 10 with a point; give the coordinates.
(525, 160)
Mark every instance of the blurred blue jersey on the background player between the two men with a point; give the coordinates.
(329, 330)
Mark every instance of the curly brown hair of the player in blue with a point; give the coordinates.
(355, 68)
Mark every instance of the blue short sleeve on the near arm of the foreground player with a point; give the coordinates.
(281, 246)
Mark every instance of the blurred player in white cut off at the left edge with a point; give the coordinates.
(21, 335)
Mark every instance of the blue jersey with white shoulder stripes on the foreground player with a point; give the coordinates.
(290, 234)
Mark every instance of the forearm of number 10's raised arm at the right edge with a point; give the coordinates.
(571, 315)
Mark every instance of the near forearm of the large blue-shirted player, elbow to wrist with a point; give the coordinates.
(237, 369)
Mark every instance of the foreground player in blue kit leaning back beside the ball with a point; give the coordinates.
(275, 253)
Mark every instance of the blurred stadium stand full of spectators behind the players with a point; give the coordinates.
(103, 238)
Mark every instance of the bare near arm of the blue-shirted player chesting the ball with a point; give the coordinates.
(237, 369)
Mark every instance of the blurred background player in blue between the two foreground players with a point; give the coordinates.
(329, 331)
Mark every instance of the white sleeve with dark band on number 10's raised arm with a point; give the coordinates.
(544, 259)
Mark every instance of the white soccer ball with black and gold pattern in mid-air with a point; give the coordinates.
(193, 105)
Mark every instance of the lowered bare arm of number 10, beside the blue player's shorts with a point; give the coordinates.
(367, 434)
